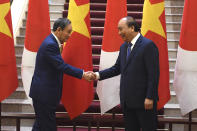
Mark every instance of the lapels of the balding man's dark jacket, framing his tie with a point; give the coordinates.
(133, 52)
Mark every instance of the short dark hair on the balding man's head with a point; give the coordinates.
(131, 22)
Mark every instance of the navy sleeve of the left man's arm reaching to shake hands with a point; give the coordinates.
(53, 56)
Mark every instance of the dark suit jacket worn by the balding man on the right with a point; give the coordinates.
(139, 74)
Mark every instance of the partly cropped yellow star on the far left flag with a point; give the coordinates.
(4, 9)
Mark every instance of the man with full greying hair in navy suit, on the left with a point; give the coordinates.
(46, 86)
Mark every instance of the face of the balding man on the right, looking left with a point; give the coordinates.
(124, 31)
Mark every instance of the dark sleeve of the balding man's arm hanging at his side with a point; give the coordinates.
(152, 66)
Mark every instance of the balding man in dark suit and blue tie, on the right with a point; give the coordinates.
(138, 64)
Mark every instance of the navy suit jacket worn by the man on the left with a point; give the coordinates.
(47, 80)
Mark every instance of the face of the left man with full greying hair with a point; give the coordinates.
(65, 34)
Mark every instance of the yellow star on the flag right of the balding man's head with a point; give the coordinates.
(150, 21)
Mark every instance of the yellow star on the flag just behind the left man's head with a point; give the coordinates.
(77, 16)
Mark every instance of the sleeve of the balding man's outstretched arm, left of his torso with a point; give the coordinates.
(112, 71)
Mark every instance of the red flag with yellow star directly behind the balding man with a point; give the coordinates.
(154, 28)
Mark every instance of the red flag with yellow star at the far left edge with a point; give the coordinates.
(8, 71)
